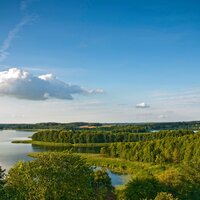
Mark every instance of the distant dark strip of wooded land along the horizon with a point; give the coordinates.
(123, 127)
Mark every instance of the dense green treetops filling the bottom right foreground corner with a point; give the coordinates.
(172, 184)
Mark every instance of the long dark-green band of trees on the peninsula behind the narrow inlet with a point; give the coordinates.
(99, 136)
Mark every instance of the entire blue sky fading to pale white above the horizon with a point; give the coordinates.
(140, 59)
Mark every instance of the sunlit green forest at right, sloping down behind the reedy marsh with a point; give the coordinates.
(167, 150)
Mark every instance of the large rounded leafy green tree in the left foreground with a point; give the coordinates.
(51, 176)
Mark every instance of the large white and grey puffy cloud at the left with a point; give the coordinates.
(23, 85)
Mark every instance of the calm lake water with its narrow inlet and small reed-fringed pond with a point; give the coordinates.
(10, 153)
